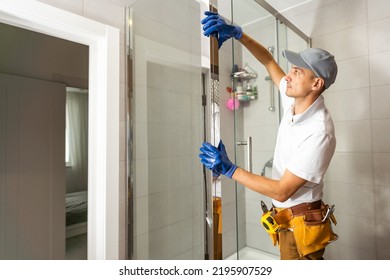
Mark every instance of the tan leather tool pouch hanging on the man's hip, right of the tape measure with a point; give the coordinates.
(311, 232)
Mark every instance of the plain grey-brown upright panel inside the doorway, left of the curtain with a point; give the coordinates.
(32, 174)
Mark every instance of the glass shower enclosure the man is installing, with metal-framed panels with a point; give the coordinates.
(178, 88)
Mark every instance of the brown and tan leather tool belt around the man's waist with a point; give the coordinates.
(310, 224)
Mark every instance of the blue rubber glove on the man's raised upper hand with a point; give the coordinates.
(215, 25)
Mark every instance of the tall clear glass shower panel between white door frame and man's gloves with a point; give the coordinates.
(166, 191)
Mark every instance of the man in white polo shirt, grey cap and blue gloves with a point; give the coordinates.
(304, 148)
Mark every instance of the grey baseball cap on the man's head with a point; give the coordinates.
(319, 61)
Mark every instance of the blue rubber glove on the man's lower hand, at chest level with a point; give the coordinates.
(216, 159)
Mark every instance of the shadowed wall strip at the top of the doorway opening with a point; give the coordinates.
(35, 55)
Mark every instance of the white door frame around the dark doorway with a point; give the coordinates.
(103, 143)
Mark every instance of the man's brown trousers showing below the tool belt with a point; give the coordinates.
(289, 251)
